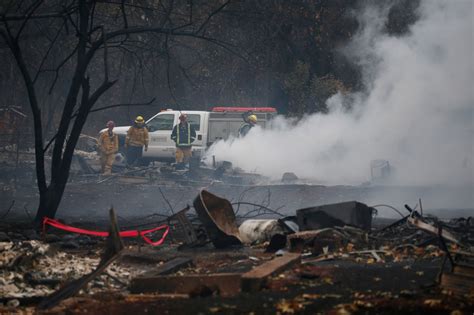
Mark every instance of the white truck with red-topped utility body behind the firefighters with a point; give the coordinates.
(210, 126)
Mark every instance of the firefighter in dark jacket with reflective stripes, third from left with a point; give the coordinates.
(183, 135)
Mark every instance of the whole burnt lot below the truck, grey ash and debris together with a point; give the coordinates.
(279, 248)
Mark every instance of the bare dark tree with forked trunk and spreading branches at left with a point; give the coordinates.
(83, 36)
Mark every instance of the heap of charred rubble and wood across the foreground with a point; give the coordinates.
(326, 257)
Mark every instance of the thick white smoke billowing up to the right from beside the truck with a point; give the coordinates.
(417, 113)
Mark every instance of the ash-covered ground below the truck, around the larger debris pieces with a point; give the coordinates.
(340, 270)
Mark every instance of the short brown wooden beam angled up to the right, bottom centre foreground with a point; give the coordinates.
(254, 279)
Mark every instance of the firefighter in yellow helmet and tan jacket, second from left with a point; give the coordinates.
(136, 140)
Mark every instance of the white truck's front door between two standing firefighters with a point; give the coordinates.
(161, 146)
